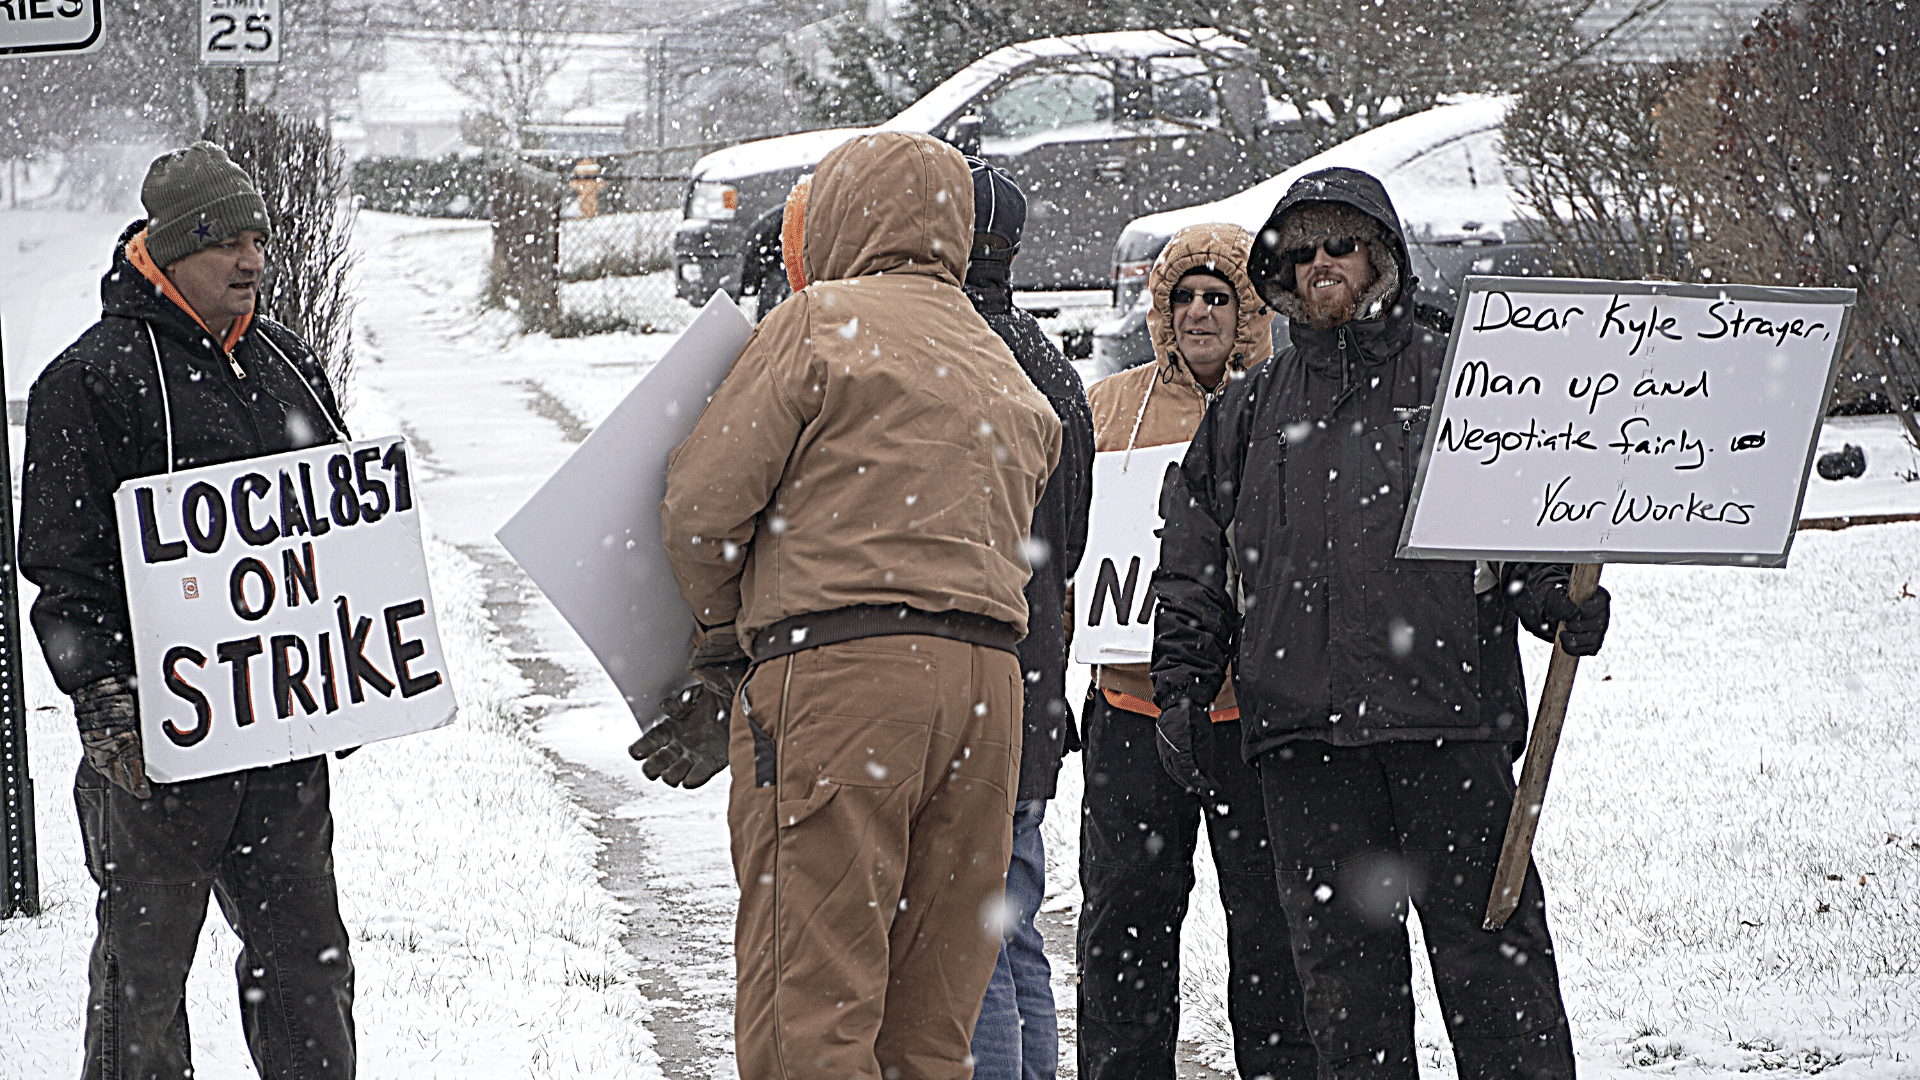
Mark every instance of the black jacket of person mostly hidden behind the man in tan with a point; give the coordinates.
(1059, 526)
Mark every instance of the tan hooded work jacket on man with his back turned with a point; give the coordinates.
(875, 443)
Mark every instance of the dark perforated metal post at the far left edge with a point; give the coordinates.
(20, 889)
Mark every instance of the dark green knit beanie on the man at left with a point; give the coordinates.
(197, 197)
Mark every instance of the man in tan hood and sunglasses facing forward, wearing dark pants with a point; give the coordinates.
(1138, 825)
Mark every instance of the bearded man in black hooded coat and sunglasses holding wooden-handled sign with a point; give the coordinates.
(1381, 699)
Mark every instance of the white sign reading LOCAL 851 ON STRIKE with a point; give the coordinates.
(279, 608)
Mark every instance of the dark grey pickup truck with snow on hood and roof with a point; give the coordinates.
(1095, 130)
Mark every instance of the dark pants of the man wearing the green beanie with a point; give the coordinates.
(262, 843)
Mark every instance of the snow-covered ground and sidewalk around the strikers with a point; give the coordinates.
(1731, 845)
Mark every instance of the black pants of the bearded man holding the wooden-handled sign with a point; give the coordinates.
(1360, 831)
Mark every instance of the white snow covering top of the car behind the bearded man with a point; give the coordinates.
(1380, 153)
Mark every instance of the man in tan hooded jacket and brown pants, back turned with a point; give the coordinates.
(853, 506)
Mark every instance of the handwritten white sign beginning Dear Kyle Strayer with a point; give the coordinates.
(1625, 422)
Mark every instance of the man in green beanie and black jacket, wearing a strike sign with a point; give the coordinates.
(180, 374)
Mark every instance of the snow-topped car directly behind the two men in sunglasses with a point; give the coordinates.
(1449, 180)
